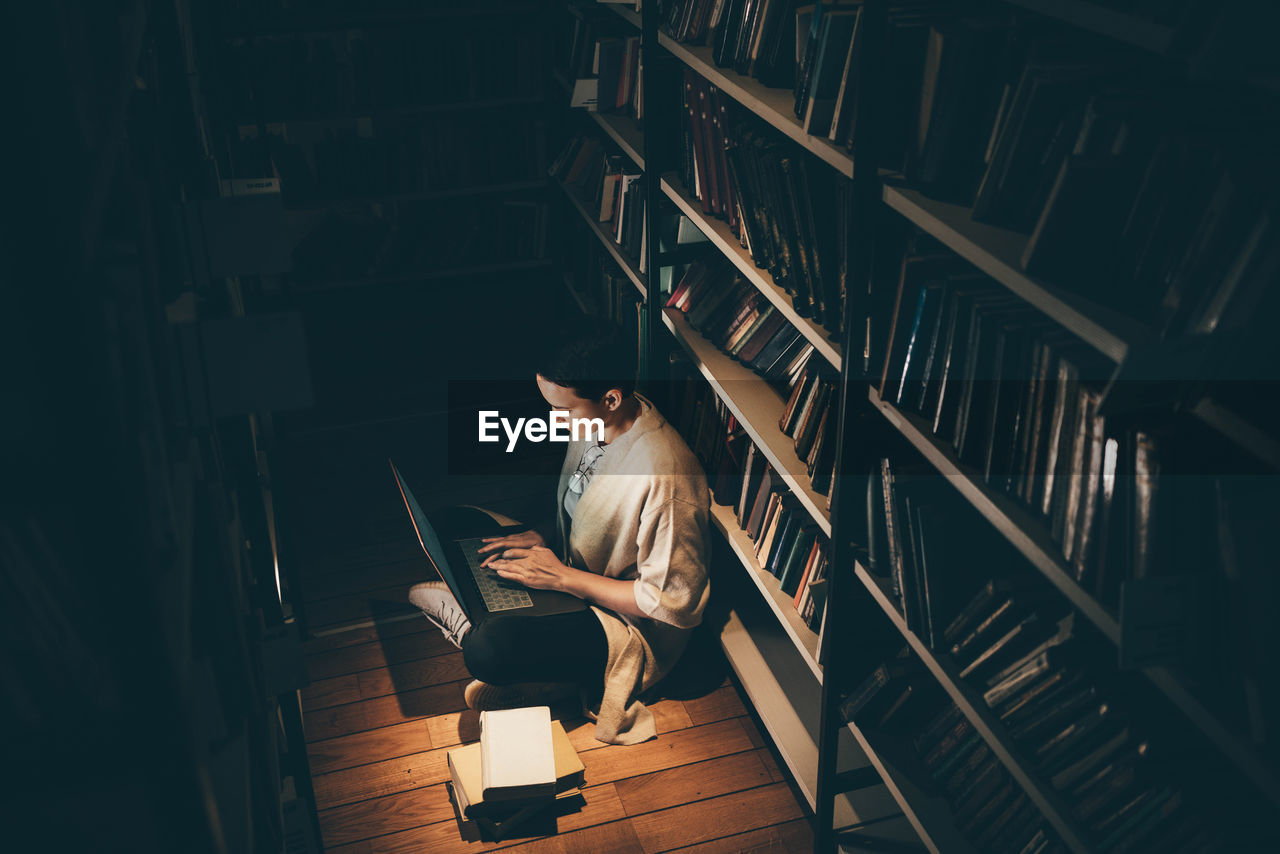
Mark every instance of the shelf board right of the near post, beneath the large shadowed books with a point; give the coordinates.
(998, 253)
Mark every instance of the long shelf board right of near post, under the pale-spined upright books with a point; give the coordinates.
(1028, 536)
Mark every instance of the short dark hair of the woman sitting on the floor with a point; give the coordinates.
(591, 357)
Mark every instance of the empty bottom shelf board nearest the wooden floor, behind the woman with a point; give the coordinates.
(788, 700)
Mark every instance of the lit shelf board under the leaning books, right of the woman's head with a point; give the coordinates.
(756, 407)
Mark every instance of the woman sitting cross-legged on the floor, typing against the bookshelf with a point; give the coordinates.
(630, 538)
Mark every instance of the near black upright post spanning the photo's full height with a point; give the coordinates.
(847, 518)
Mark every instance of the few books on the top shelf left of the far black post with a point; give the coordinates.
(604, 63)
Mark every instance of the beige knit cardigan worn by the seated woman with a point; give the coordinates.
(643, 517)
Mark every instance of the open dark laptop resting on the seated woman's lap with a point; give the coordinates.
(481, 591)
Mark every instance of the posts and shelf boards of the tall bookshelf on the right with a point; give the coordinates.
(881, 202)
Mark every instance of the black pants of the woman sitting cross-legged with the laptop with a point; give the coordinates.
(511, 649)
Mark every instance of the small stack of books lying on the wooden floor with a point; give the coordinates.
(523, 765)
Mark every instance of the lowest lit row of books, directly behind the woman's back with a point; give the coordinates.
(789, 545)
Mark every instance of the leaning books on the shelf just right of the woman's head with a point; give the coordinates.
(734, 316)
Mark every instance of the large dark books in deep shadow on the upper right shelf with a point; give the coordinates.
(1053, 141)
